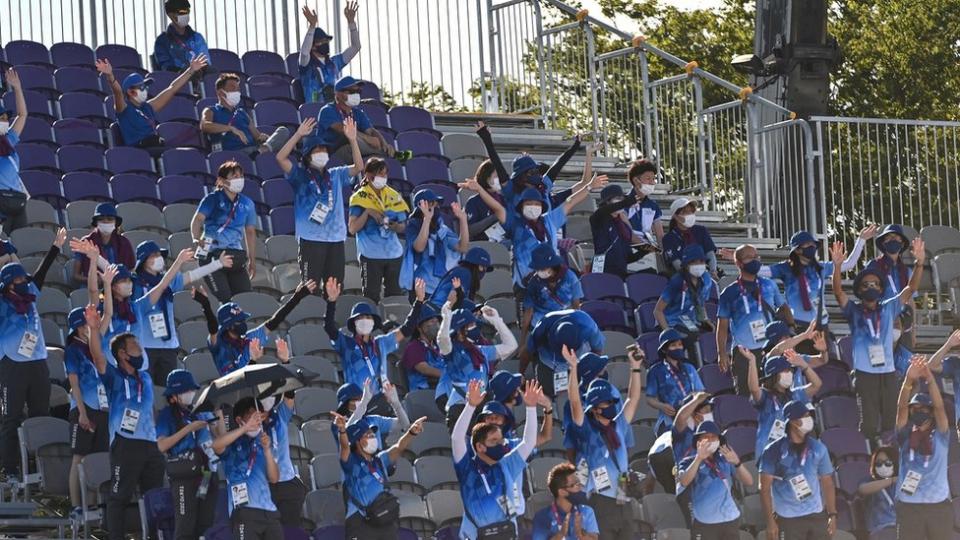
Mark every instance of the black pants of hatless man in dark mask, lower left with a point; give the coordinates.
(134, 463)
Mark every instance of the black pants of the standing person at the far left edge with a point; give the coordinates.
(21, 383)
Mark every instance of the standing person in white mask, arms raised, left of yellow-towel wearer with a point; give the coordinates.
(318, 202)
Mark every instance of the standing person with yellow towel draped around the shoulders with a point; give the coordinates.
(378, 215)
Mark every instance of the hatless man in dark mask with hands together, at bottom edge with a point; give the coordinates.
(569, 517)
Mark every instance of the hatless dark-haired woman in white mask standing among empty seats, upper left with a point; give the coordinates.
(226, 222)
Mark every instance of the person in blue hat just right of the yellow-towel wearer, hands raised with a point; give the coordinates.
(432, 247)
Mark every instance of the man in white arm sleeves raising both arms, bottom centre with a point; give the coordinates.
(491, 474)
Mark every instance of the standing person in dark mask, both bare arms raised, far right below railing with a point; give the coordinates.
(871, 324)
